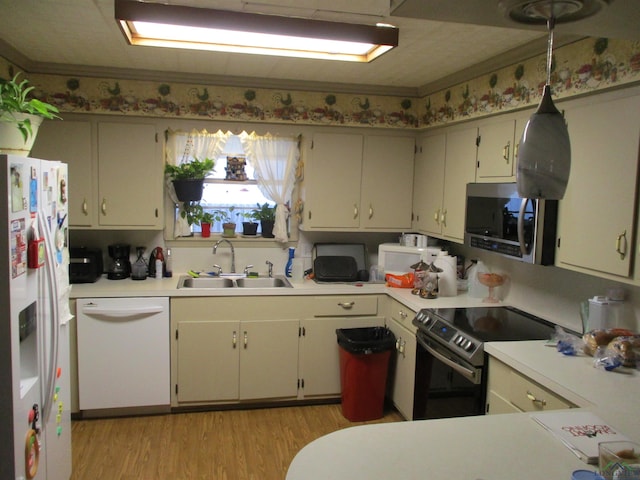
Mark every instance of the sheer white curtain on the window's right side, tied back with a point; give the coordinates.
(274, 160)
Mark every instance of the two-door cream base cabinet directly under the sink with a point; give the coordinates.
(220, 358)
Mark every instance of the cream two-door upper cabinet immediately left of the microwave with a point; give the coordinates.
(448, 163)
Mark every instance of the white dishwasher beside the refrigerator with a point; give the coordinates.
(123, 352)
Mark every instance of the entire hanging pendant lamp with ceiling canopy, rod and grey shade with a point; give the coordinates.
(544, 154)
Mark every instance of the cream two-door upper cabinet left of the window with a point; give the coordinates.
(115, 171)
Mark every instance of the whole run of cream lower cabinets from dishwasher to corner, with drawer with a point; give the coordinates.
(267, 348)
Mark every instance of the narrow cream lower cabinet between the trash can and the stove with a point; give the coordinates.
(403, 361)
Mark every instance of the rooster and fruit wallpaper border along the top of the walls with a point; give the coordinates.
(582, 67)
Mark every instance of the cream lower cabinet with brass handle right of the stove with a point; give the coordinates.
(510, 391)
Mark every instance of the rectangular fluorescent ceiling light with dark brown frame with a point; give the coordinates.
(174, 26)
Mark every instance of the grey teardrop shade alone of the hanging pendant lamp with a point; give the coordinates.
(544, 154)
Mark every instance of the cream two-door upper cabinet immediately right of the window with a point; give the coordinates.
(358, 182)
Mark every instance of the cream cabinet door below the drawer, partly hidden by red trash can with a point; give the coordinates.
(320, 354)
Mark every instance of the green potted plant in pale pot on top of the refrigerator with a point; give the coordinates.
(20, 116)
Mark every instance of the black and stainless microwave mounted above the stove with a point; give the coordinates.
(498, 220)
